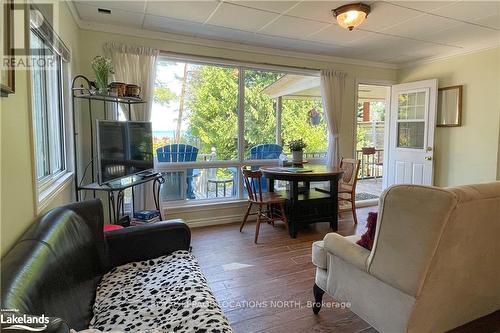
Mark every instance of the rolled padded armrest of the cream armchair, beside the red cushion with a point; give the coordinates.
(347, 249)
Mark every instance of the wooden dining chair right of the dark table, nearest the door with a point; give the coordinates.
(347, 184)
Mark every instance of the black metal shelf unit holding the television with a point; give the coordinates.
(84, 92)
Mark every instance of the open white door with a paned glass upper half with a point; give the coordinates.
(410, 134)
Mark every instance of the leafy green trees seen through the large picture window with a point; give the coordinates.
(211, 110)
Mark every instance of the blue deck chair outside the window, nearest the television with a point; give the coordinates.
(180, 153)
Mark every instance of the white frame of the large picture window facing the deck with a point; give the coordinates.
(240, 160)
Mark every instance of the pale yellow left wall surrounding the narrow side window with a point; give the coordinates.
(17, 186)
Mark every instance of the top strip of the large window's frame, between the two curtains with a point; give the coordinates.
(249, 64)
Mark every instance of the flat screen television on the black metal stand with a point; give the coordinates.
(124, 148)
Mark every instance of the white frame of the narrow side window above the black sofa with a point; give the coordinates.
(53, 181)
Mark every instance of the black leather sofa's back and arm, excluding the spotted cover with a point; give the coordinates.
(55, 267)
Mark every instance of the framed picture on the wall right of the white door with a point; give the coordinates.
(449, 106)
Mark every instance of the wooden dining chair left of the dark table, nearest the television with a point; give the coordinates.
(271, 205)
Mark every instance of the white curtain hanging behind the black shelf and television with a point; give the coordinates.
(136, 65)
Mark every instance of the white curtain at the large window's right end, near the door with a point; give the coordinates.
(332, 93)
